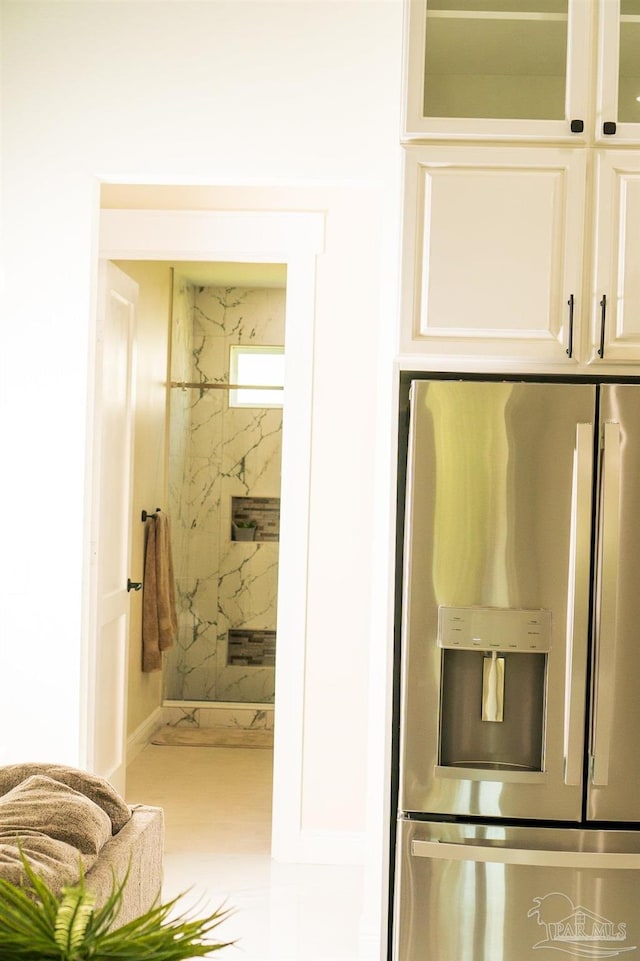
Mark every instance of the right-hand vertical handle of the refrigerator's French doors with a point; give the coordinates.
(607, 622)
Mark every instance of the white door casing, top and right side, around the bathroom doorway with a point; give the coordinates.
(295, 239)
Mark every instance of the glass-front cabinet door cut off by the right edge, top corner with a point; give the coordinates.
(618, 108)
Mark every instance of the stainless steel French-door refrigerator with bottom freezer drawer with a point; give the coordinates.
(518, 782)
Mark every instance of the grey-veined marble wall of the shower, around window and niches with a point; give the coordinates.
(217, 453)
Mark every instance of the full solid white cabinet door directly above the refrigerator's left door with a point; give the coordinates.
(488, 267)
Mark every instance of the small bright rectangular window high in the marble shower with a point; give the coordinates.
(258, 373)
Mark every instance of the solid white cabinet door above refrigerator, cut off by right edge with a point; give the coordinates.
(617, 255)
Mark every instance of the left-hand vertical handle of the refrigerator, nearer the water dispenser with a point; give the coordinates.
(578, 603)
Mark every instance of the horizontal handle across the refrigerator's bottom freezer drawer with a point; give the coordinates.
(461, 851)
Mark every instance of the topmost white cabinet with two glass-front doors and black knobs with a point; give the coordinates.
(523, 69)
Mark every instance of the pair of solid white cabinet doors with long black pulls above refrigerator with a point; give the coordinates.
(509, 255)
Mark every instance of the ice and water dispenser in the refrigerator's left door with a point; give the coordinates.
(493, 683)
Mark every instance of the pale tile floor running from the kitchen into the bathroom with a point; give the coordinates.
(217, 804)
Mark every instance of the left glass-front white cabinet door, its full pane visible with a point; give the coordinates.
(498, 68)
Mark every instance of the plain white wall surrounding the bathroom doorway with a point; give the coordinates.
(281, 93)
